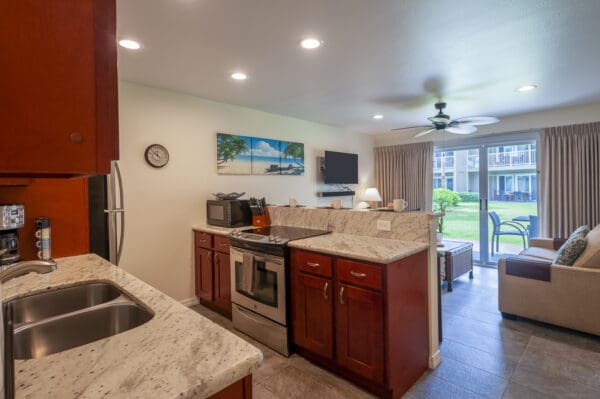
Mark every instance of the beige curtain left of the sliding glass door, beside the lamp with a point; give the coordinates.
(405, 171)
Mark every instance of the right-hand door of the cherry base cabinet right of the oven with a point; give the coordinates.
(359, 331)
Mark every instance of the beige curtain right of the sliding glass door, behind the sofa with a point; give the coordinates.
(569, 178)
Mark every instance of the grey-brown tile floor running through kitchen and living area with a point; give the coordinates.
(484, 356)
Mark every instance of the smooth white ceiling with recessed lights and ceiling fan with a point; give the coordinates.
(380, 56)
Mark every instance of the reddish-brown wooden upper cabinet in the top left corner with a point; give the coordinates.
(58, 85)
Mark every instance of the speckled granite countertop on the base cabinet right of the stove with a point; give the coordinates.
(370, 249)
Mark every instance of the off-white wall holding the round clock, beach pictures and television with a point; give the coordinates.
(162, 205)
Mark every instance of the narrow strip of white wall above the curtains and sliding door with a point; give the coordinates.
(530, 121)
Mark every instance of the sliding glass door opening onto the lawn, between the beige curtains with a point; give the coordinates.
(489, 193)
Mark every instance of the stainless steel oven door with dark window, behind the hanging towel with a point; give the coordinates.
(267, 295)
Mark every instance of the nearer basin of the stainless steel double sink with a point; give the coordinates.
(64, 332)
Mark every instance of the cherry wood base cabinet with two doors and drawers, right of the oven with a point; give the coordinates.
(367, 322)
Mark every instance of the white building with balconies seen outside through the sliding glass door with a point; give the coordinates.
(512, 172)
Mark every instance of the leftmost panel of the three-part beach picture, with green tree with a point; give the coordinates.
(234, 154)
